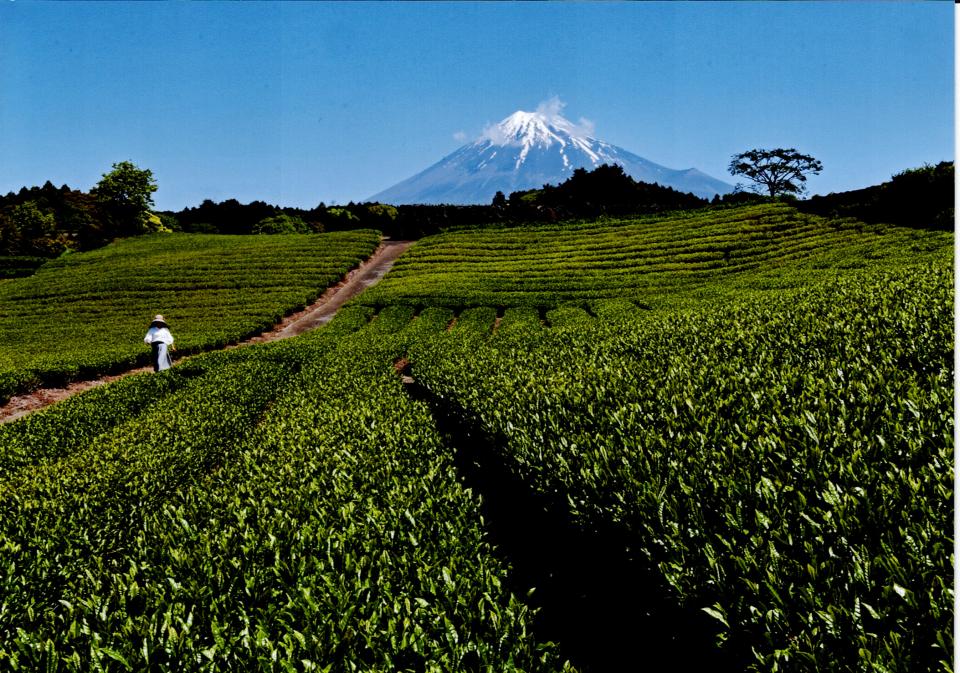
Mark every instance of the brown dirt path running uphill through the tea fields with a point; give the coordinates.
(317, 314)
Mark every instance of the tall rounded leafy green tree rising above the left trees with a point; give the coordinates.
(125, 196)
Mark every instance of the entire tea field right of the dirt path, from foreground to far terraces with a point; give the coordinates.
(750, 454)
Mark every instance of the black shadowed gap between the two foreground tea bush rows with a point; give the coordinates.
(605, 610)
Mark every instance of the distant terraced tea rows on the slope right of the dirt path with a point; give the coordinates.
(666, 261)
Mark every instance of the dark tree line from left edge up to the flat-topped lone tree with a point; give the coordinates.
(47, 221)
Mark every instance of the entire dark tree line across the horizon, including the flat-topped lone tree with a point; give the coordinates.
(41, 222)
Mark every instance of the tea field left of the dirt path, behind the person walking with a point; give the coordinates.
(85, 314)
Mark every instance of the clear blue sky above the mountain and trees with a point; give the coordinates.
(298, 103)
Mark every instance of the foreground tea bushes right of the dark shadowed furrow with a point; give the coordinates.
(784, 465)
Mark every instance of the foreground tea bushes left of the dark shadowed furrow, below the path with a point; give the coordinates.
(284, 507)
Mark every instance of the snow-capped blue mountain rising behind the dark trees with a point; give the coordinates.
(525, 151)
